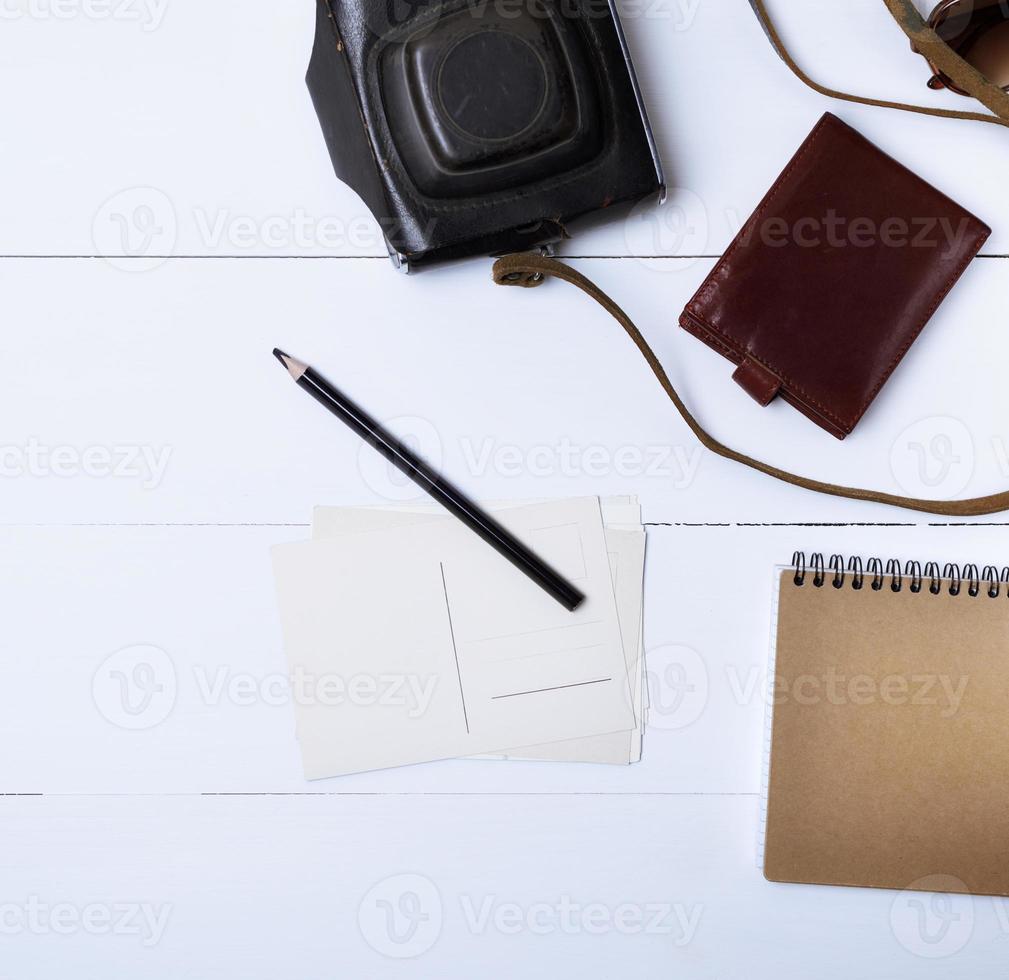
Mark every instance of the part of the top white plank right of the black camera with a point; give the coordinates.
(730, 115)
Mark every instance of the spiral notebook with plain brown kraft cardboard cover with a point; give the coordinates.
(889, 727)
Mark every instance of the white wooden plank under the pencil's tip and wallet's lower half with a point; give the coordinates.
(167, 379)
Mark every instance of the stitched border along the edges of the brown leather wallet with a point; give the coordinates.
(711, 286)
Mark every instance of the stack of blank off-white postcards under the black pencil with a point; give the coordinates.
(411, 640)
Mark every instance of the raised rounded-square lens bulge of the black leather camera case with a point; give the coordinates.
(488, 101)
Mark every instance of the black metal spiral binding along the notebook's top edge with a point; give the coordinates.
(989, 582)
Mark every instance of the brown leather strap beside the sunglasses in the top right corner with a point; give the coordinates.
(927, 43)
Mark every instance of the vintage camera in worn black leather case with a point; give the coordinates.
(481, 127)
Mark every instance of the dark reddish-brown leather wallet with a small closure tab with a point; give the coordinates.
(834, 277)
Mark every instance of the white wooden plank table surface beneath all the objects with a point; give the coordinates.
(155, 820)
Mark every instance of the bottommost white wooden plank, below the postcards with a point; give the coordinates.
(591, 888)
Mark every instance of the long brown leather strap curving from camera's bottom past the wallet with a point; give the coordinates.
(530, 270)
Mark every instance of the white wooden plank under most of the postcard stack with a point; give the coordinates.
(149, 661)
